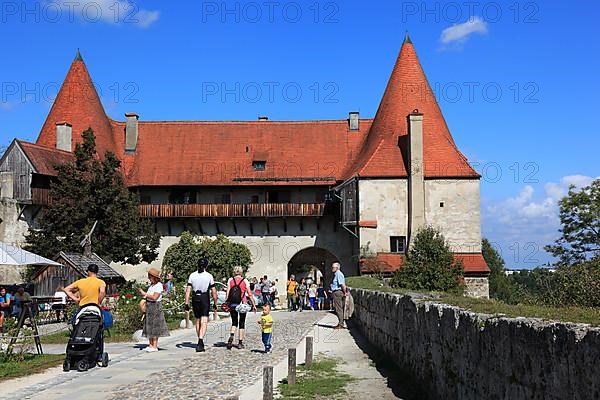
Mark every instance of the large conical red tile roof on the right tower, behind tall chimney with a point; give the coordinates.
(384, 151)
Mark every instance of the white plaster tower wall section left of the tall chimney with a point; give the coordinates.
(384, 201)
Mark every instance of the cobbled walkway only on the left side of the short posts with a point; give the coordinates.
(176, 371)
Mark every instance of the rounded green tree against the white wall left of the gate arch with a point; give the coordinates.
(181, 258)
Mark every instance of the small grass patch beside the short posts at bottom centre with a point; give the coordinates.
(321, 380)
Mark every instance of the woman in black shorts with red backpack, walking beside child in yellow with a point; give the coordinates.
(238, 293)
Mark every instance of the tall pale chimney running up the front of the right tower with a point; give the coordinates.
(416, 175)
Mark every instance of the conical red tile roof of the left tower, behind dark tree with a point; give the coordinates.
(78, 103)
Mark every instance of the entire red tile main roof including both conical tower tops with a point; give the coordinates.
(221, 153)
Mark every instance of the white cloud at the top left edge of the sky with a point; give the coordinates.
(109, 11)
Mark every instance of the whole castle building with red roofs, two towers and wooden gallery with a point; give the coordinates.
(297, 193)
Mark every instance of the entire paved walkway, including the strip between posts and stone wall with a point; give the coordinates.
(177, 371)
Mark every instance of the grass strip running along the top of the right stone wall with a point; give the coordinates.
(583, 315)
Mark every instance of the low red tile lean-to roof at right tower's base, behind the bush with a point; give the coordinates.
(473, 263)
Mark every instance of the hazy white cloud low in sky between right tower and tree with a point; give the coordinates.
(520, 226)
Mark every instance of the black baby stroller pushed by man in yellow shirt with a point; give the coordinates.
(86, 344)
